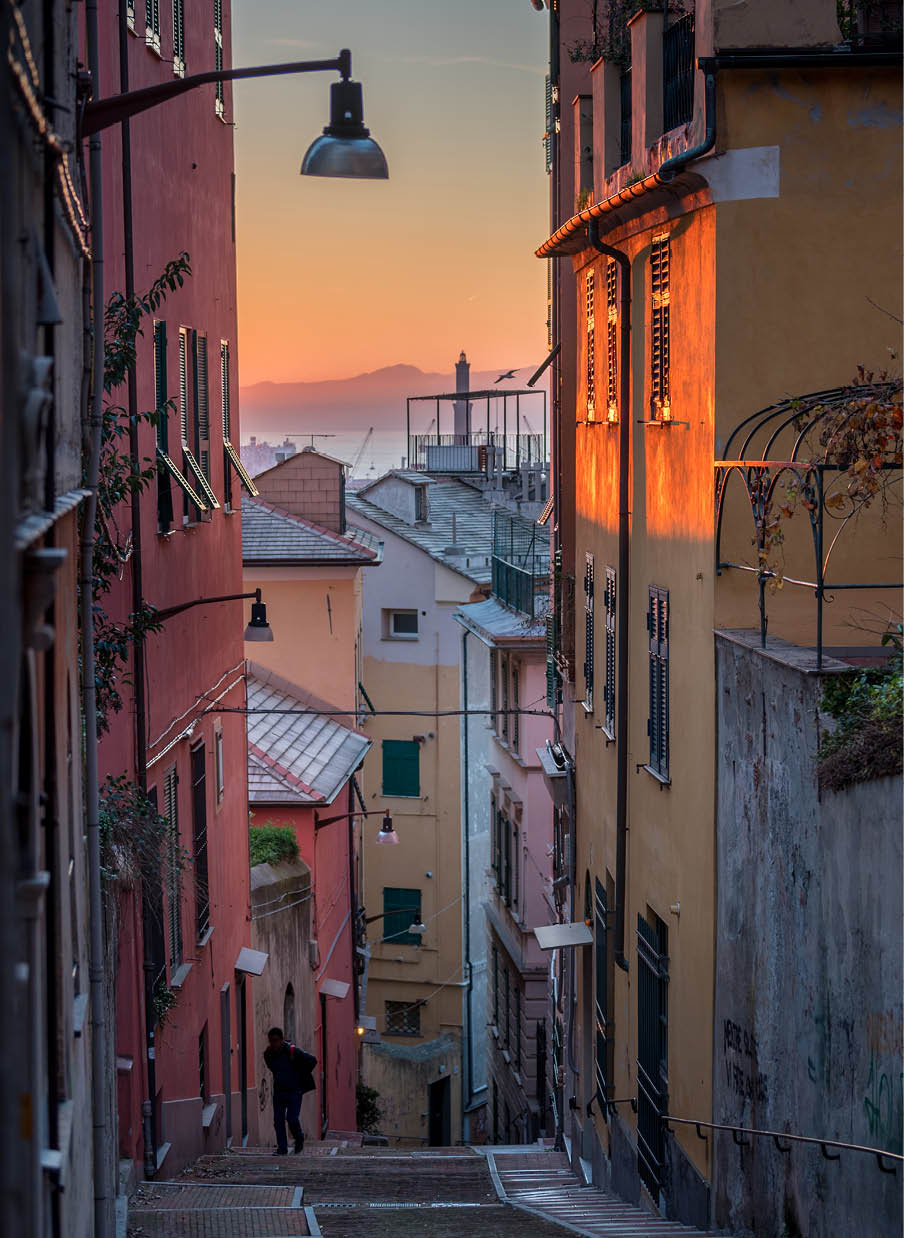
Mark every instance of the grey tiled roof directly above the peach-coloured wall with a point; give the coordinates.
(273, 537)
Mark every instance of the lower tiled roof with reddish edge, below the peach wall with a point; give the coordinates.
(299, 757)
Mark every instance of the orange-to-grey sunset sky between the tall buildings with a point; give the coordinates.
(341, 277)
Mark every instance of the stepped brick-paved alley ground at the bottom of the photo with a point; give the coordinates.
(340, 1190)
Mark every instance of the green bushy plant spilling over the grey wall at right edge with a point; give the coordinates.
(866, 706)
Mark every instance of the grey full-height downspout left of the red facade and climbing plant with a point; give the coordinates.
(103, 1141)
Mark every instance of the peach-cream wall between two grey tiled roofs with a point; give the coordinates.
(315, 615)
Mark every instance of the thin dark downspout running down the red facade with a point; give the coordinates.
(149, 1132)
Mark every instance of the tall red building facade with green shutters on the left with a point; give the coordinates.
(186, 1071)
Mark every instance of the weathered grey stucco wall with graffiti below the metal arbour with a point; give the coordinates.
(808, 1034)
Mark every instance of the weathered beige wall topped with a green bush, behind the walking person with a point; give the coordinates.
(284, 935)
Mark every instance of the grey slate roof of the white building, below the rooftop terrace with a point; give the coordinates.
(474, 527)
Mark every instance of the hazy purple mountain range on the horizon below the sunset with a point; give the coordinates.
(376, 399)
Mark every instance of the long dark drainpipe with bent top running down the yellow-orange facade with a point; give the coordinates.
(622, 618)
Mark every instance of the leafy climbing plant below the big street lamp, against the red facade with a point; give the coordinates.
(121, 477)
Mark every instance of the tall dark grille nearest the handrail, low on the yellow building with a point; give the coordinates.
(653, 1049)
